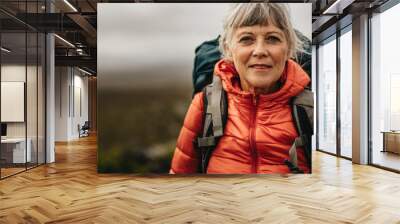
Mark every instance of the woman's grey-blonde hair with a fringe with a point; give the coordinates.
(250, 14)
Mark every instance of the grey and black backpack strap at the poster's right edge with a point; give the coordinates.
(303, 117)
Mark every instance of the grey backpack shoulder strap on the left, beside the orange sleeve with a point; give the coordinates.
(214, 120)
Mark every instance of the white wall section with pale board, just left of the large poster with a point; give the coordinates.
(70, 84)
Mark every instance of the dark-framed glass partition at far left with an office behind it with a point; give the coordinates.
(22, 64)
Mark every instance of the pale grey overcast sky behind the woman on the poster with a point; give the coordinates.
(147, 41)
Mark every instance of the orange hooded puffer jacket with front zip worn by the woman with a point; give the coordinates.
(259, 131)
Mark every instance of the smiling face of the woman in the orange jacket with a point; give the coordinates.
(259, 54)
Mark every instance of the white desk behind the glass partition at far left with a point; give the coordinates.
(15, 148)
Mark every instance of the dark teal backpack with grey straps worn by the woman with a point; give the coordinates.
(216, 104)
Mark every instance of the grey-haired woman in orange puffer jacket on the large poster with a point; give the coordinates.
(260, 79)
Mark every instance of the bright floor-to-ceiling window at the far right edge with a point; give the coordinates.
(385, 88)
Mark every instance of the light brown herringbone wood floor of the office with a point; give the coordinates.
(71, 191)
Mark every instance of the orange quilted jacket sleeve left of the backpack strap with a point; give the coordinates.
(185, 156)
